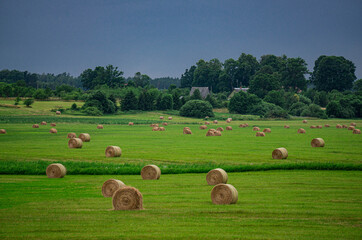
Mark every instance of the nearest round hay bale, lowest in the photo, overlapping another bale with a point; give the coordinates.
(127, 198)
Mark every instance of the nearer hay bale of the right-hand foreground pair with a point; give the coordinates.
(224, 194)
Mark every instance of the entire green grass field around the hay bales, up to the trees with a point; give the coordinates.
(276, 204)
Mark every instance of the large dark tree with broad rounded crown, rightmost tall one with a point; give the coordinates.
(331, 72)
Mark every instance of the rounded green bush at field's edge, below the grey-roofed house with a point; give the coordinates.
(196, 108)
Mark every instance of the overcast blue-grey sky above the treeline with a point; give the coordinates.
(164, 37)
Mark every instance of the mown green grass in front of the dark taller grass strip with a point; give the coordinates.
(271, 205)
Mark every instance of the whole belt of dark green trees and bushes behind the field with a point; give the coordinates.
(278, 87)
